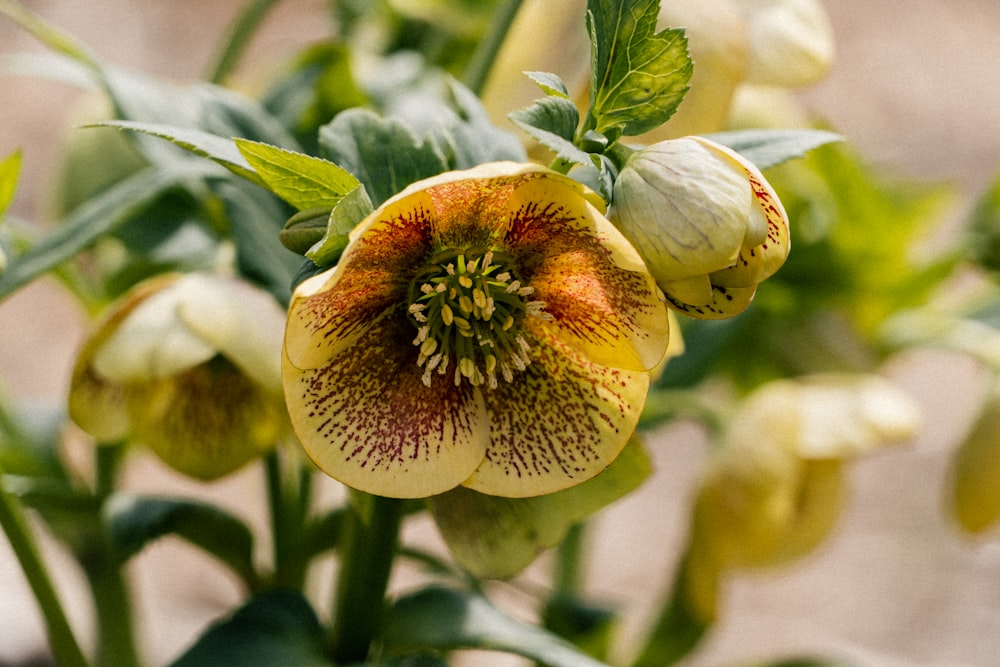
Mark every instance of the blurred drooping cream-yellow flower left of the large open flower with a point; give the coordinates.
(189, 366)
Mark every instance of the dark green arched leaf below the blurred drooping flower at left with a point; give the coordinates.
(134, 521)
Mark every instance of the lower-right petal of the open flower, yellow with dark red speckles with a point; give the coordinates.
(563, 421)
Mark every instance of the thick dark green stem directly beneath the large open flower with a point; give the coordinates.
(367, 552)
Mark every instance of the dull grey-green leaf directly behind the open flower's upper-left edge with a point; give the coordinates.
(382, 152)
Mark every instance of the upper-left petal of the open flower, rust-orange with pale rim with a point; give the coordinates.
(330, 311)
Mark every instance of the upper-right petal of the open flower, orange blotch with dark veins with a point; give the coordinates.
(592, 281)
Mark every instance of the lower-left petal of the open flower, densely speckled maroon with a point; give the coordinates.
(367, 420)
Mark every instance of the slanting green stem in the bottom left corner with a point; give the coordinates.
(62, 642)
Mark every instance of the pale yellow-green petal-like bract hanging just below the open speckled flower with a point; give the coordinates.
(495, 537)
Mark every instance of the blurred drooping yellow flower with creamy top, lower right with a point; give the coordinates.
(773, 489)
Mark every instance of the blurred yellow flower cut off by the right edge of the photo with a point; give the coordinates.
(976, 477)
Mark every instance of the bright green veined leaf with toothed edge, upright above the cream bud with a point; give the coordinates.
(638, 77)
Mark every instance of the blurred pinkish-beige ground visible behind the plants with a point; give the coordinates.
(916, 87)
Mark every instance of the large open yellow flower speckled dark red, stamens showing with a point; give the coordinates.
(486, 328)
